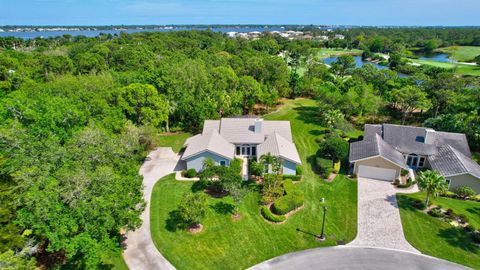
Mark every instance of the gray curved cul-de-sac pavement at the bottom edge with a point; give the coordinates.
(356, 258)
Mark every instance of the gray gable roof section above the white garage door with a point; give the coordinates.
(375, 146)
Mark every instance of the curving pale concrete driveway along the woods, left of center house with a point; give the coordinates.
(141, 253)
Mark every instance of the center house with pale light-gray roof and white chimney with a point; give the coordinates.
(223, 140)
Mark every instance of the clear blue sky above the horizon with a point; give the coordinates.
(353, 12)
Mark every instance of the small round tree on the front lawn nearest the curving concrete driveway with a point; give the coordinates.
(192, 208)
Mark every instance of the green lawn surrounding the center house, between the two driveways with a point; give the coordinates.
(228, 244)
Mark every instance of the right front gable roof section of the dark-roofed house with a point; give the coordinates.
(450, 161)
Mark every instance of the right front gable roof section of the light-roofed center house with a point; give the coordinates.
(278, 146)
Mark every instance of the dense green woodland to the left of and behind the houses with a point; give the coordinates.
(77, 115)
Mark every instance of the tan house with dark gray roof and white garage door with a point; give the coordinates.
(387, 149)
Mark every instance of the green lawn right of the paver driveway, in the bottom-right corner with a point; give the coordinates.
(438, 238)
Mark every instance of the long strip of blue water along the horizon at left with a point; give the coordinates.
(94, 33)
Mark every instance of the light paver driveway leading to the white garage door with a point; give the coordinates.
(379, 223)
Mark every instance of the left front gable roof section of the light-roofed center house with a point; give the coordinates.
(212, 142)
